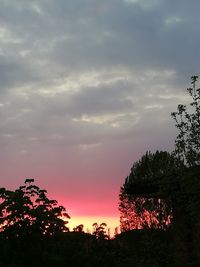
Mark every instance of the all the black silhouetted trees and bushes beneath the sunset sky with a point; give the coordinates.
(159, 213)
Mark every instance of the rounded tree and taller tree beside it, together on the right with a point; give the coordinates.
(162, 190)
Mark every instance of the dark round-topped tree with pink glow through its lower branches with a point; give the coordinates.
(140, 205)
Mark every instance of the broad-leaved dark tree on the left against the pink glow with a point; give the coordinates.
(27, 211)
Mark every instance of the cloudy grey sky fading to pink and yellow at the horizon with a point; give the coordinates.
(86, 88)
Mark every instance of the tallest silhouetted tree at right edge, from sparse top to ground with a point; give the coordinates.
(186, 199)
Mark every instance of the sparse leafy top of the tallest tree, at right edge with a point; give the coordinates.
(187, 119)
